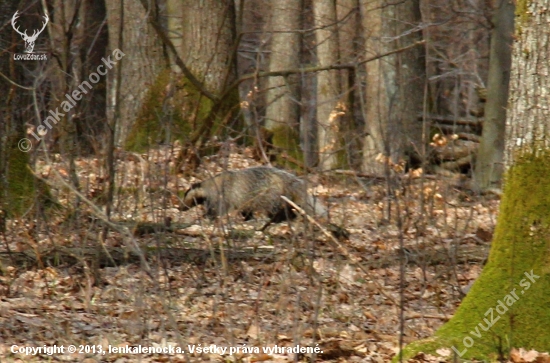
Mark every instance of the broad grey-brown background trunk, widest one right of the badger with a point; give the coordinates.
(394, 83)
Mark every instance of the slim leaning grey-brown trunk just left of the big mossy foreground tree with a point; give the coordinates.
(490, 157)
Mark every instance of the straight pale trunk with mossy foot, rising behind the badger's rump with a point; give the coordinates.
(283, 95)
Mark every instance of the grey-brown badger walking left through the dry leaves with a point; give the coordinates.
(251, 190)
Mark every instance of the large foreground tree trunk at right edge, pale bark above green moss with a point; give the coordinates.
(509, 305)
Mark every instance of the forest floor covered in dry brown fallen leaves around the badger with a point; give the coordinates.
(268, 297)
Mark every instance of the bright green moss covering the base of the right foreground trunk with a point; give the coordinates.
(521, 244)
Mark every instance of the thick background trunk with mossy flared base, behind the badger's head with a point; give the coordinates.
(194, 102)
